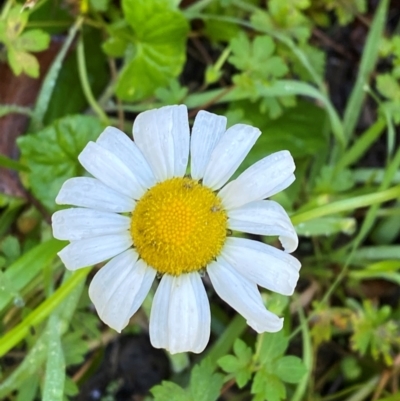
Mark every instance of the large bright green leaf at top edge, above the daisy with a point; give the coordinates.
(158, 53)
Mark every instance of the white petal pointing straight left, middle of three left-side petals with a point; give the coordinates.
(77, 223)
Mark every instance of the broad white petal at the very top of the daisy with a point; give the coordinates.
(163, 137)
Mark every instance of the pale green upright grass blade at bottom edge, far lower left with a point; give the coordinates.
(53, 389)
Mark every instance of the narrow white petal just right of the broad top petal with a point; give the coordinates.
(207, 130)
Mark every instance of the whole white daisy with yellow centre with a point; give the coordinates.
(147, 216)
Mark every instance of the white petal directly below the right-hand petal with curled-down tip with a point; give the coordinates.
(263, 264)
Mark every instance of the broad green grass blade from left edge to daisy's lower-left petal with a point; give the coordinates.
(28, 266)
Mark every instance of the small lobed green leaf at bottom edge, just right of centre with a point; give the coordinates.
(205, 385)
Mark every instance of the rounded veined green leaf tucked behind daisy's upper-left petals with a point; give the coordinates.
(52, 154)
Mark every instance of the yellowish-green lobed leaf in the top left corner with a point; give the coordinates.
(20, 43)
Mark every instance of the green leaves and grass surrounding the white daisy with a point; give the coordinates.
(258, 63)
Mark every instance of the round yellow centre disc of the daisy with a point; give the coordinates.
(179, 226)
